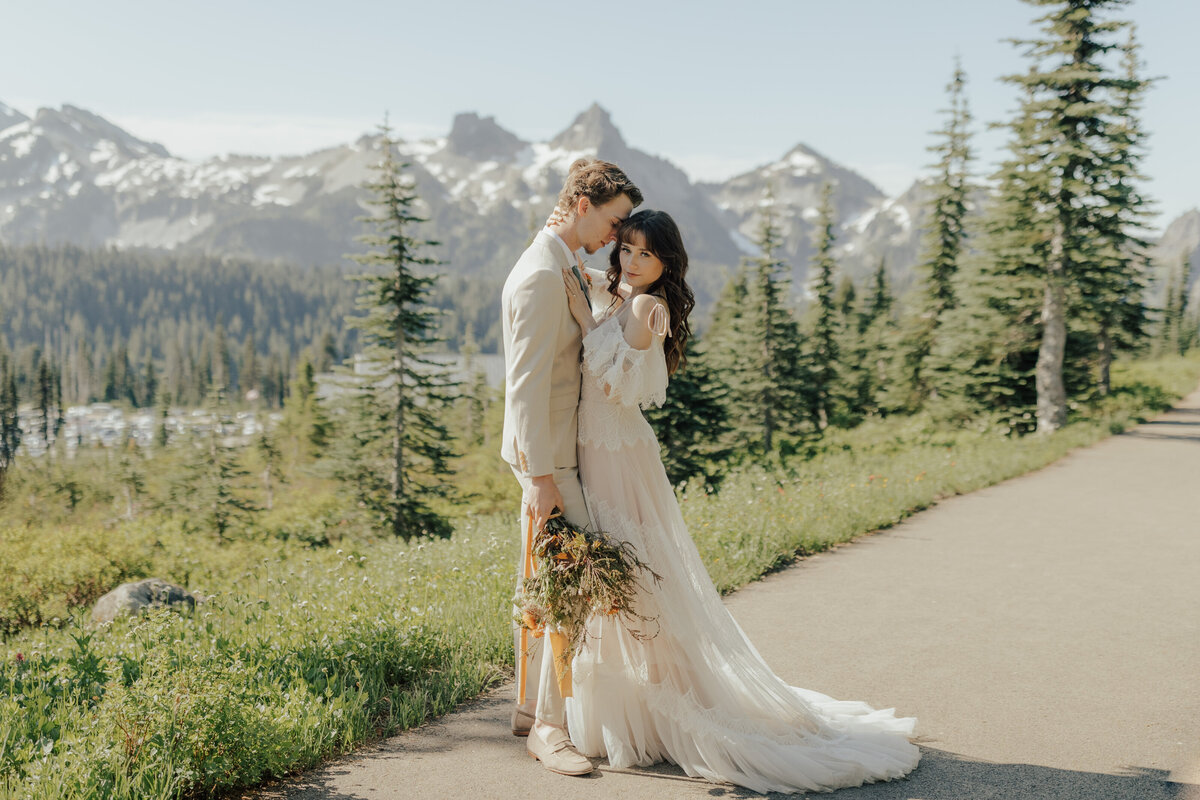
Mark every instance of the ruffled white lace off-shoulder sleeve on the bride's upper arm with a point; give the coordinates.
(628, 376)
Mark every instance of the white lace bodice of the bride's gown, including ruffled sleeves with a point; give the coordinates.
(620, 381)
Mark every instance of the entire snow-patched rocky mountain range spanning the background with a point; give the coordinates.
(70, 176)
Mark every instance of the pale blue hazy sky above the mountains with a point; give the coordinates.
(716, 87)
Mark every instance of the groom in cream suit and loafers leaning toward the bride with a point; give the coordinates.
(542, 396)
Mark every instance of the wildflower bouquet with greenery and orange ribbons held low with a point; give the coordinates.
(578, 573)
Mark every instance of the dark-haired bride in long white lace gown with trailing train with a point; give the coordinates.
(693, 691)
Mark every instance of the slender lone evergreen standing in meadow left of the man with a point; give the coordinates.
(410, 389)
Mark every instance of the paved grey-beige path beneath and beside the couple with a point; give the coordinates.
(1046, 631)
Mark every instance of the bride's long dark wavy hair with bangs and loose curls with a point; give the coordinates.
(662, 238)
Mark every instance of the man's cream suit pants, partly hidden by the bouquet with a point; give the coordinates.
(543, 697)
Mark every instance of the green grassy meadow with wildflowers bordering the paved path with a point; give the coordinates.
(319, 634)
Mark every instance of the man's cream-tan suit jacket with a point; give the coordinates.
(542, 363)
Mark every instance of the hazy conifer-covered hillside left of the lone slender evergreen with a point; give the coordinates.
(124, 326)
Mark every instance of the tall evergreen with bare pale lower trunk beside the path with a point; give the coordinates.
(1071, 105)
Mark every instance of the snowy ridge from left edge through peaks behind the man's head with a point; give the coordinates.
(70, 176)
